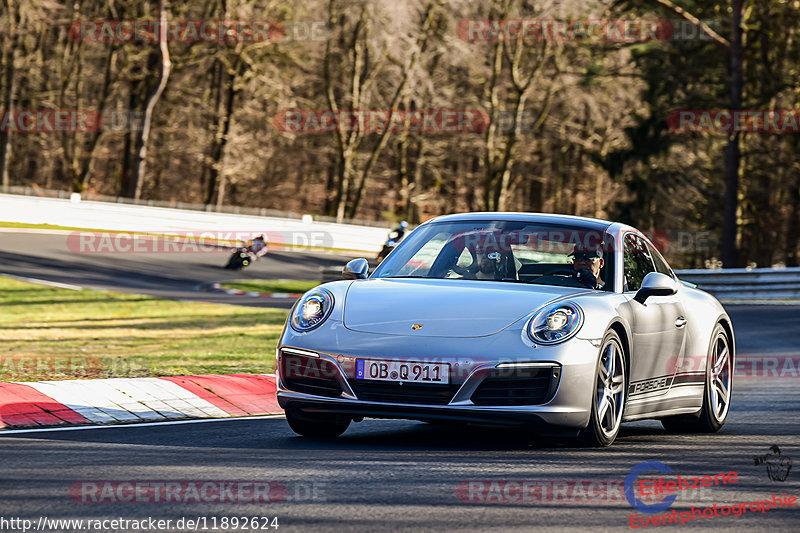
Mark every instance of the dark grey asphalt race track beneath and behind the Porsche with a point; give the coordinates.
(393, 475)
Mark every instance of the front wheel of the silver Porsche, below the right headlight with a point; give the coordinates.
(609, 393)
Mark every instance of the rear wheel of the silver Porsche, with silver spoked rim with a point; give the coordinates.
(717, 393)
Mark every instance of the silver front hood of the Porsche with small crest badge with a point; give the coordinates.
(444, 307)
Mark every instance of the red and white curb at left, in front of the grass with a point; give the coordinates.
(129, 400)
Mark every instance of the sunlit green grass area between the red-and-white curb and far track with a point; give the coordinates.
(53, 333)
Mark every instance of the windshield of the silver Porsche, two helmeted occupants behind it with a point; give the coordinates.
(504, 251)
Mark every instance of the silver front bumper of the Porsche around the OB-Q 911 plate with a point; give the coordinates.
(565, 409)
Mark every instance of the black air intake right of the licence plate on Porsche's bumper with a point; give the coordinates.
(517, 386)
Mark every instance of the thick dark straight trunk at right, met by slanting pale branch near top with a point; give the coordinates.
(730, 255)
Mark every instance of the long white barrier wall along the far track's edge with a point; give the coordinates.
(125, 217)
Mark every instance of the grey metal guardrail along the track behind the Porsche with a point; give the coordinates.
(730, 284)
